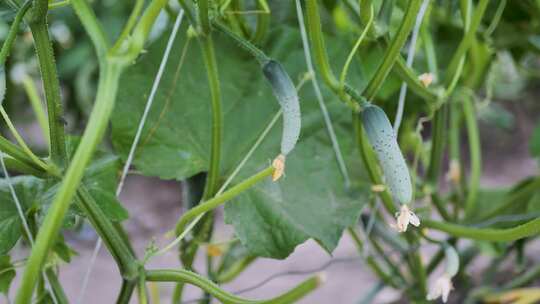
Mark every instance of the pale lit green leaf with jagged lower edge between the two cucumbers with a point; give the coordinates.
(310, 201)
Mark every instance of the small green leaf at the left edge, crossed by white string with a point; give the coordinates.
(28, 190)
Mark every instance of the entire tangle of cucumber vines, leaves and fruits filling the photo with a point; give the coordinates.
(206, 117)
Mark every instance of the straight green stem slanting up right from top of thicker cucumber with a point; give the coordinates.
(393, 50)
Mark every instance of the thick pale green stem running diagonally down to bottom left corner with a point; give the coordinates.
(106, 93)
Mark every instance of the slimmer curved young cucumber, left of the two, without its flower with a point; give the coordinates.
(286, 94)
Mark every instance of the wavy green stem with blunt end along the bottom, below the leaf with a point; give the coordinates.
(192, 278)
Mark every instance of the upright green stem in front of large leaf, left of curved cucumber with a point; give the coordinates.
(209, 57)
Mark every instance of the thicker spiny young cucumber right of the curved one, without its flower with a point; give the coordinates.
(382, 138)
